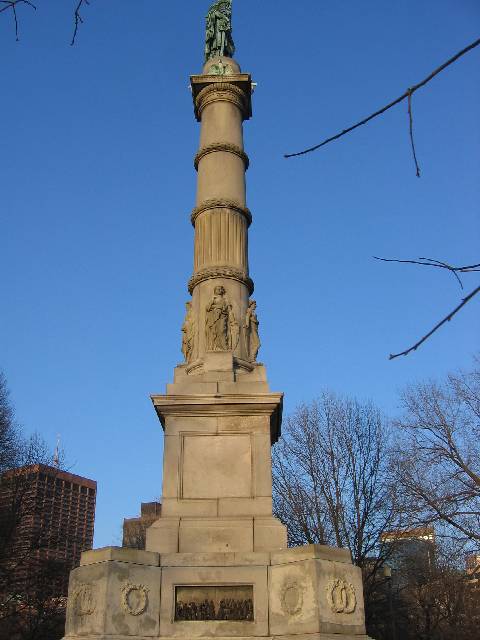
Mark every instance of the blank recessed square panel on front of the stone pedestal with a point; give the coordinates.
(217, 466)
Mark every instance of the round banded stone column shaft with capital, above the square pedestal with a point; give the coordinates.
(221, 217)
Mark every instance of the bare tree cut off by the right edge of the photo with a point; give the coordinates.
(439, 454)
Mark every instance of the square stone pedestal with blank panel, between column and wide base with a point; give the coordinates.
(217, 481)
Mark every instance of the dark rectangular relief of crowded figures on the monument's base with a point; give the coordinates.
(203, 603)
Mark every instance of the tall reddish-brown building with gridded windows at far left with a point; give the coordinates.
(45, 515)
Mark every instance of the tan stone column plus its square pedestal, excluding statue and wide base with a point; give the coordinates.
(219, 415)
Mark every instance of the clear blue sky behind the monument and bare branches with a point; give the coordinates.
(97, 184)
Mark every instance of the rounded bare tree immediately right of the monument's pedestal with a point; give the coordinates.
(331, 483)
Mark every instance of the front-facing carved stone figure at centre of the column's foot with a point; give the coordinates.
(221, 327)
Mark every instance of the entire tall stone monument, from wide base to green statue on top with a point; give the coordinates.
(216, 562)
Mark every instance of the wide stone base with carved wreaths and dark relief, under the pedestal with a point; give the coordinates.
(311, 592)
